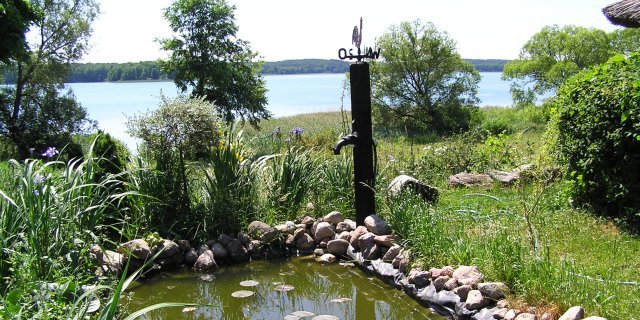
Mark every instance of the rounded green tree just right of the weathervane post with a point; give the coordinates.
(422, 85)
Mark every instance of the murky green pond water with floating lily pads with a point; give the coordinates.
(341, 291)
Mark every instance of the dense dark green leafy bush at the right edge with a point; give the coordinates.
(598, 122)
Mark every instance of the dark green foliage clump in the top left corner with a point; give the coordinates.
(15, 18)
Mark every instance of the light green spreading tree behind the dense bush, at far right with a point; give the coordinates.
(553, 55)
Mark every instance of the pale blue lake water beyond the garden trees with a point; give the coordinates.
(110, 103)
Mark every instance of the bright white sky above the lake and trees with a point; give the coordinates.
(126, 30)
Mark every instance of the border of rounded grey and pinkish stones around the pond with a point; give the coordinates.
(457, 293)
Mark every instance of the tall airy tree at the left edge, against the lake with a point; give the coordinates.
(33, 114)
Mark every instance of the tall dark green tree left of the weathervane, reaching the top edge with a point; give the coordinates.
(209, 59)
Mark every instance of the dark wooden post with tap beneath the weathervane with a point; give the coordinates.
(363, 170)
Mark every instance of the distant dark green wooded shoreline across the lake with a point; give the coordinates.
(150, 71)
